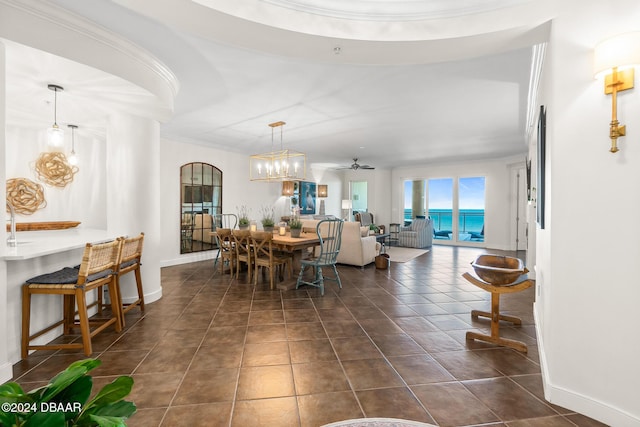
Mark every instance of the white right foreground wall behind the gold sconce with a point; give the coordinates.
(587, 309)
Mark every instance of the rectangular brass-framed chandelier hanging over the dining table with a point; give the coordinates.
(282, 165)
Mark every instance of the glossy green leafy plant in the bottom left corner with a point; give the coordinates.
(65, 401)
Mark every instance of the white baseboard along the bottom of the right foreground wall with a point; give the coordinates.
(575, 401)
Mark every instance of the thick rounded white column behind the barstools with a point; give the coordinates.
(133, 194)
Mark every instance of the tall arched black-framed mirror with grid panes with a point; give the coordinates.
(200, 200)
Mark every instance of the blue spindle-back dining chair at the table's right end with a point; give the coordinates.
(329, 233)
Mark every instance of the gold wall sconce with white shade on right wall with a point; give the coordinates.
(614, 58)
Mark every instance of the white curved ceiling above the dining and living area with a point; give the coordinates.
(403, 101)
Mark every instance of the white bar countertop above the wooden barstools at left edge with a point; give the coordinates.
(33, 244)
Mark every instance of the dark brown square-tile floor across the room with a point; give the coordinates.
(391, 343)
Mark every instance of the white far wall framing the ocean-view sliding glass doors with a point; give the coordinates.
(498, 193)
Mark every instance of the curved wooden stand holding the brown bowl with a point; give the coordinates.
(495, 315)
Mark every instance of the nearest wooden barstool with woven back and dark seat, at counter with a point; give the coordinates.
(98, 268)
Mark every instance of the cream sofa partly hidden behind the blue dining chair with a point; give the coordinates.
(354, 249)
